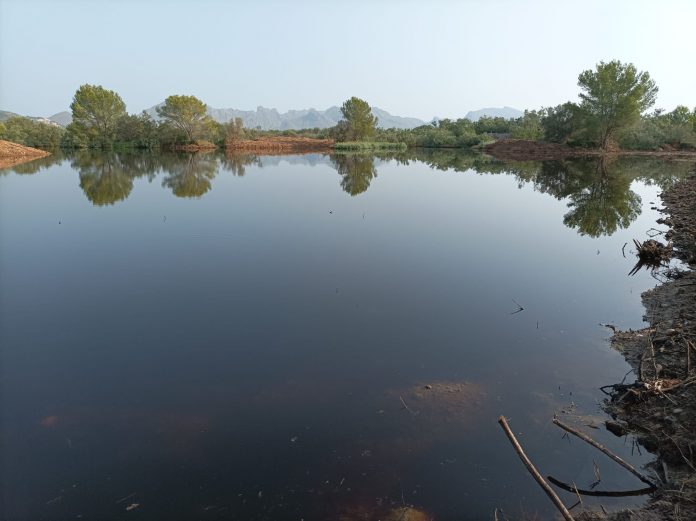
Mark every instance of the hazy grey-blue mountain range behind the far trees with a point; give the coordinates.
(271, 119)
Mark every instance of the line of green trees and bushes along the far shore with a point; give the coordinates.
(613, 112)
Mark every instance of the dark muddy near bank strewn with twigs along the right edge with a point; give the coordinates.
(660, 407)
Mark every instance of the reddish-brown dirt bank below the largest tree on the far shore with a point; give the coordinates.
(522, 150)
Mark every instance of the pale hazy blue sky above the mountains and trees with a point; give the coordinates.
(422, 59)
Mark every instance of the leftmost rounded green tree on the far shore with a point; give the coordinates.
(96, 112)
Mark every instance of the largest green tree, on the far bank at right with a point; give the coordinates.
(614, 97)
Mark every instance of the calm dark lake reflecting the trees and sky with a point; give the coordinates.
(242, 337)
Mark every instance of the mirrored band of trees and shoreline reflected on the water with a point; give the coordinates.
(597, 190)
